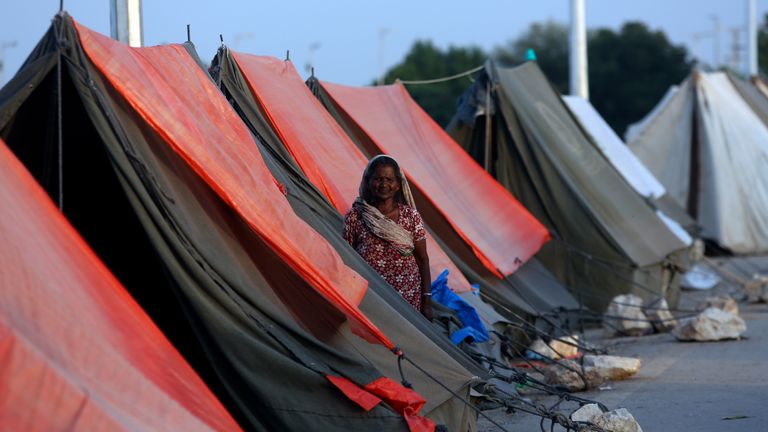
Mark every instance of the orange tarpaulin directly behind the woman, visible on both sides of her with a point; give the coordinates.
(317, 143)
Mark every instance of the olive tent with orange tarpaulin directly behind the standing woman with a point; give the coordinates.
(274, 88)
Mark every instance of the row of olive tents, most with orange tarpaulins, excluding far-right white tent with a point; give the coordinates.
(215, 196)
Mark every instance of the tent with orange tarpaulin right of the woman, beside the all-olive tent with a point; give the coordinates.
(390, 116)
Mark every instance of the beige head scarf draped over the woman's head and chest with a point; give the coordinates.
(380, 225)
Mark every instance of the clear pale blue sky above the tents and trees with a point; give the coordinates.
(353, 41)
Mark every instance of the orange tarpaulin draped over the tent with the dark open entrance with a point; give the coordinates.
(178, 100)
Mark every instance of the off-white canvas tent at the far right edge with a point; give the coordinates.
(708, 145)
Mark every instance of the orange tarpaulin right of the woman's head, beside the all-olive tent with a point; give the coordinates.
(500, 231)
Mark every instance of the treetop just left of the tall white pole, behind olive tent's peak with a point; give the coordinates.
(549, 41)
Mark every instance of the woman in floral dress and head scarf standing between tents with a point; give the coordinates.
(386, 230)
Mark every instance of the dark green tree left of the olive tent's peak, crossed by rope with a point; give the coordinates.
(425, 61)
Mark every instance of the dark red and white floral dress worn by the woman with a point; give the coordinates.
(400, 271)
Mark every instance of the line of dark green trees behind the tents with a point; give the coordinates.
(629, 69)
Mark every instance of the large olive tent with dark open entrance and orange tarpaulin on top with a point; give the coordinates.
(278, 351)
